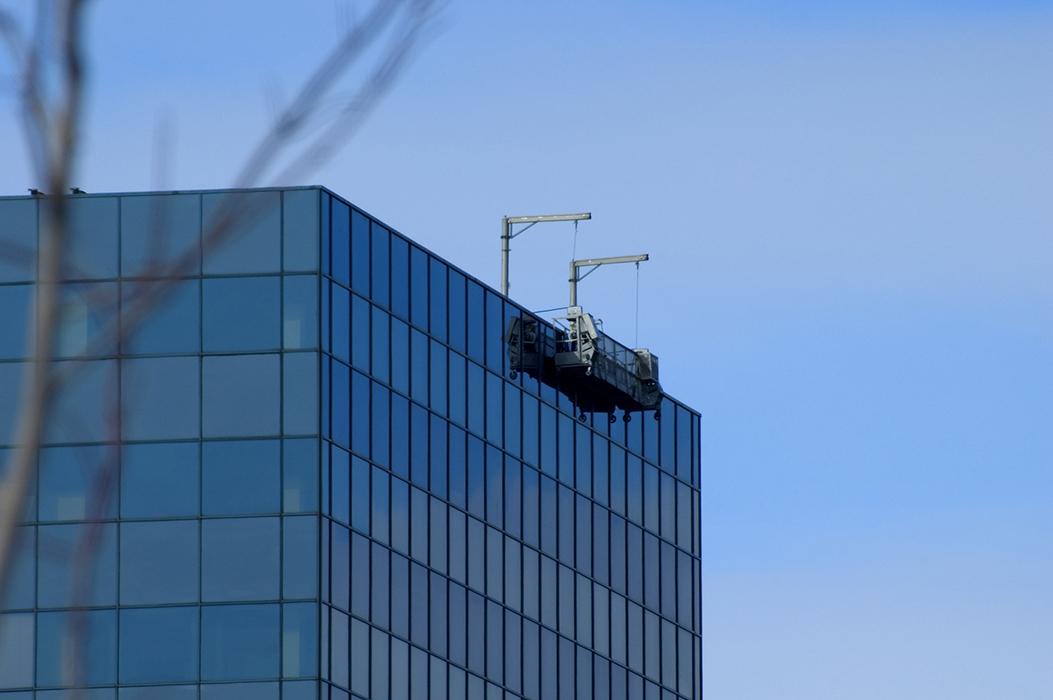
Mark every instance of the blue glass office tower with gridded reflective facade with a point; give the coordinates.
(312, 473)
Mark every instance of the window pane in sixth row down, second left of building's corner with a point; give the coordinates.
(240, 643)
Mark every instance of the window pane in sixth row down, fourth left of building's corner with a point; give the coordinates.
(97, 655)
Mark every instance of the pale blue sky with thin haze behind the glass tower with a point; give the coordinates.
(849, 214)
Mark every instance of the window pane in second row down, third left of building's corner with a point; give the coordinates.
(172, 326)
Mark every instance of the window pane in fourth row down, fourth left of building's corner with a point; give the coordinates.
(69, 481)
